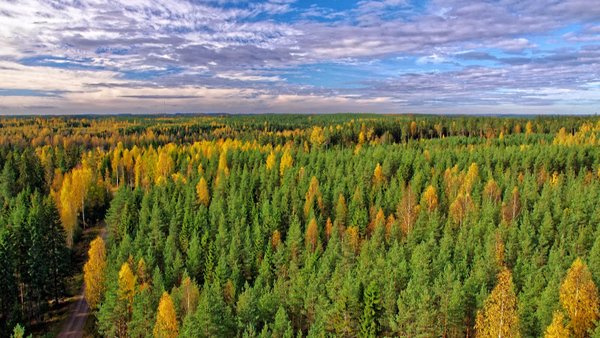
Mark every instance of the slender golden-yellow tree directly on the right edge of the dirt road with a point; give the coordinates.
(93, 272)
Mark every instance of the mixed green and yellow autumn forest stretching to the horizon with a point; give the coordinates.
(344, 225)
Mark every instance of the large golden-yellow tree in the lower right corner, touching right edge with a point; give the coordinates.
(579, 298)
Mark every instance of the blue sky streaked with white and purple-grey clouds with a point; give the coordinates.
(298, 56)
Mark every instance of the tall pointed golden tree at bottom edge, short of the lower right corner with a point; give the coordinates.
(499, 317)
